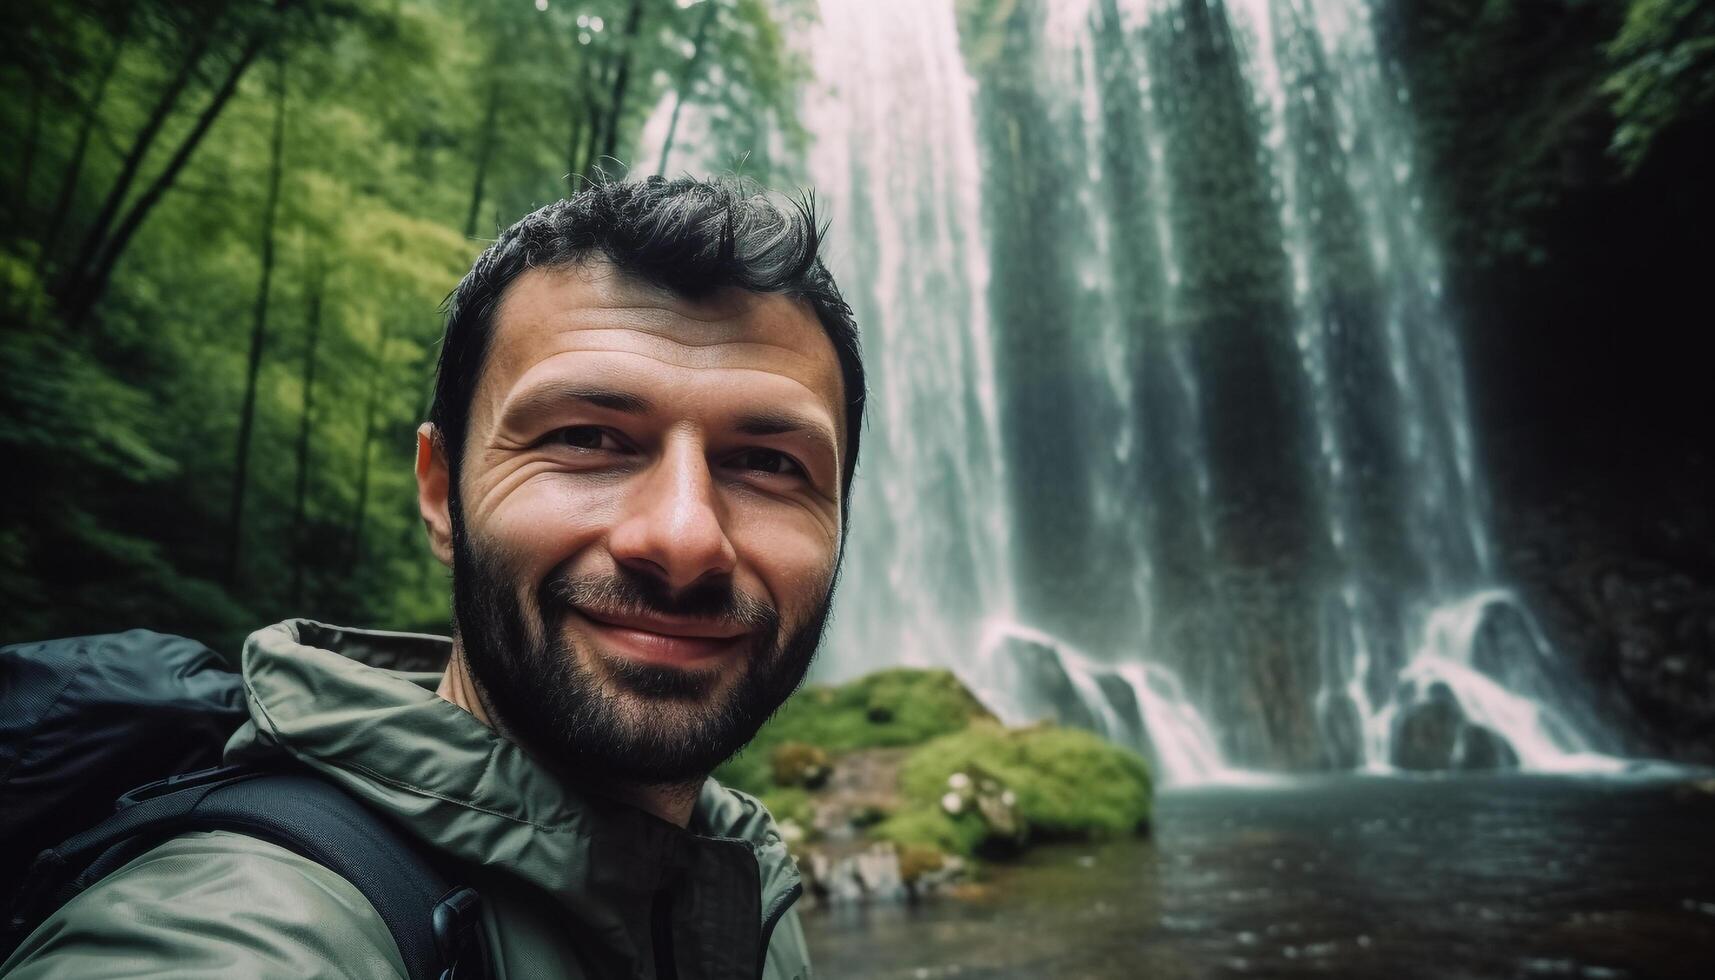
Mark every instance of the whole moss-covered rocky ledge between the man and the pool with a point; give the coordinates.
(901, 783)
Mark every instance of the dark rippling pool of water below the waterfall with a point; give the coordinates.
(1445, 878)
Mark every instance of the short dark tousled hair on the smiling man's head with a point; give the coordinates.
(685, 236)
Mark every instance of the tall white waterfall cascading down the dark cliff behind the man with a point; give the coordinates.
(1160, 366)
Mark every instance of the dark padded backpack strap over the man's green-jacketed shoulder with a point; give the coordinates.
(436, 928)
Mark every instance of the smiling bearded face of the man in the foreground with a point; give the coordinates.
(647, 526)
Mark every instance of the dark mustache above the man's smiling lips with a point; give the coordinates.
(630, 593)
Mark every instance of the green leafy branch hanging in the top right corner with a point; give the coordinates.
(1664, 73)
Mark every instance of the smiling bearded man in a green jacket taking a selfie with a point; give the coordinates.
(637, 464)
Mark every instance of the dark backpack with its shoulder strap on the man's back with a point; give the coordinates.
(85, 720)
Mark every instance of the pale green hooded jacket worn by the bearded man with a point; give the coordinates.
(569, 881)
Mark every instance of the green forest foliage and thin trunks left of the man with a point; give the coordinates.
(136, 241)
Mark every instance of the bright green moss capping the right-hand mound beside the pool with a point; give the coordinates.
(1068, 782)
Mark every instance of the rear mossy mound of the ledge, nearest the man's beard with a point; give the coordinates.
(888, 710)
